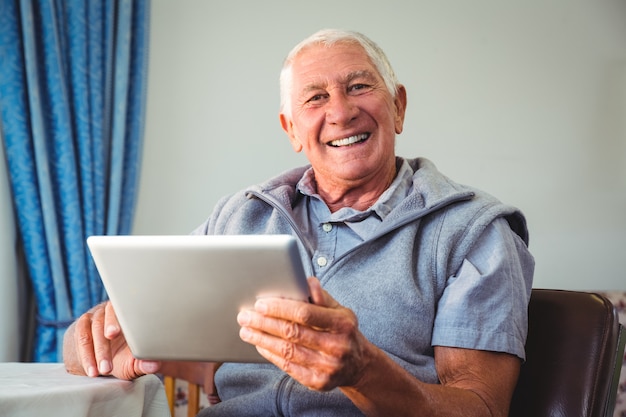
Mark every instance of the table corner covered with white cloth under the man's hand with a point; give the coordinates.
(46, 389)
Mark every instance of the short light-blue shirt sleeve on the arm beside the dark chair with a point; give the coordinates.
(485, 303)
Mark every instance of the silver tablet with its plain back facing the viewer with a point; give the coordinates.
(177, 297)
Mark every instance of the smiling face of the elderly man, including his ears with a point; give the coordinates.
(342, 116)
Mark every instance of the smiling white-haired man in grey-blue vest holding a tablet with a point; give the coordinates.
(419, 285)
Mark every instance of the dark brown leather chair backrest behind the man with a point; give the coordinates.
(574, 353)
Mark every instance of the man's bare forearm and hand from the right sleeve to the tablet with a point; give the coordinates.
(320, 346)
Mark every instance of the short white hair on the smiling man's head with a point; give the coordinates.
(329, 37)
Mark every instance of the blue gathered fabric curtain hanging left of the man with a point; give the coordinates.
(72, 101)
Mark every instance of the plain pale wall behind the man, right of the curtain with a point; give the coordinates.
(525, 99)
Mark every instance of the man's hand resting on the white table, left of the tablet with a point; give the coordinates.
(95, 345)
